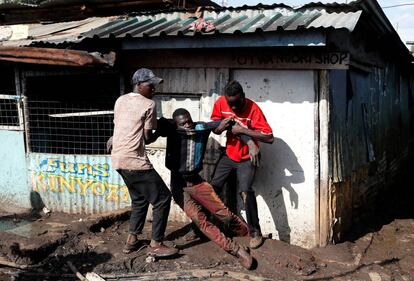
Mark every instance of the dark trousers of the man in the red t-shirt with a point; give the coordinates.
(245, 176)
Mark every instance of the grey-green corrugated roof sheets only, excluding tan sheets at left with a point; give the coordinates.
(226, 21)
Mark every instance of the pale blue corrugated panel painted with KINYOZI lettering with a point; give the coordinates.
(76, 183)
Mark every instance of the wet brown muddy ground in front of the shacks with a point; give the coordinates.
(39, 247)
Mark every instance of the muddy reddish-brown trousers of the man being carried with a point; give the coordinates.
(194, 198)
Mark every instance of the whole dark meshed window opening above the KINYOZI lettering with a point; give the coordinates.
(77, 119)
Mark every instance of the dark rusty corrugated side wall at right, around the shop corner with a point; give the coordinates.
(371, 115)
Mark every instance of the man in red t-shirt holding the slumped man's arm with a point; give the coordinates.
(249, 120)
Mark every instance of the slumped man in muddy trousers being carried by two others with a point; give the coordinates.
(186, 144)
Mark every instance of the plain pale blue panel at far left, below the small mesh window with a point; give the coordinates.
(13, 173)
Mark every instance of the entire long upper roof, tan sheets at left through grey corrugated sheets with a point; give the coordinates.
(226, 21)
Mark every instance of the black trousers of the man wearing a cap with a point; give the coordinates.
(146, 187)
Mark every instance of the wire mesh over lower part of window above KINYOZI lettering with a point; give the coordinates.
(67, 127)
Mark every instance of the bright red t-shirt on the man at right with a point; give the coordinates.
(252, 118)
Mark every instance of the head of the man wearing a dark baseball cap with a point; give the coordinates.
(144, 82)
